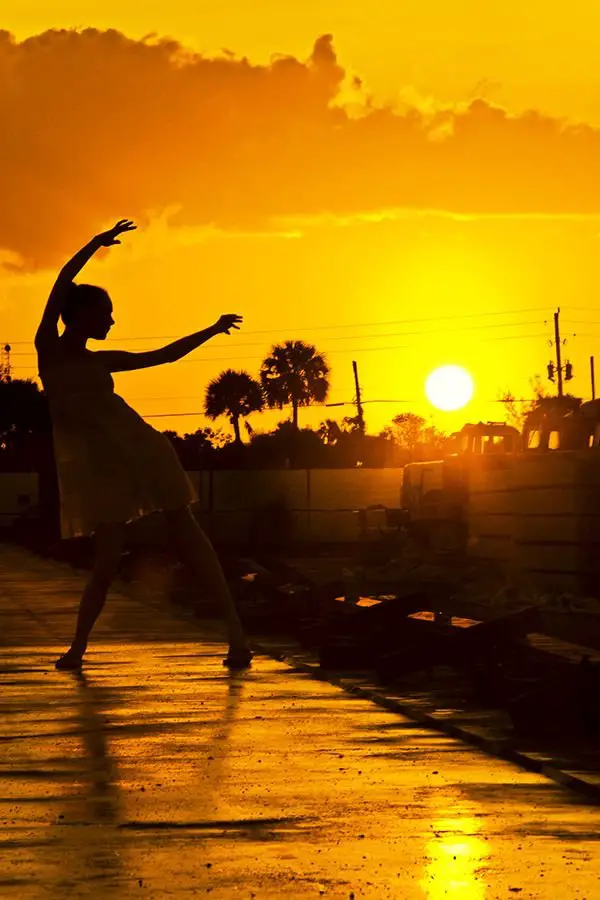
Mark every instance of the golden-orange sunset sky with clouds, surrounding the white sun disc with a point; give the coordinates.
(406, 184)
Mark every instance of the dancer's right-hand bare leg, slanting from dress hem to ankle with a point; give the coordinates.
(195, 550)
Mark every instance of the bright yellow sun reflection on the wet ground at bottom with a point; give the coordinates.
(457, 856)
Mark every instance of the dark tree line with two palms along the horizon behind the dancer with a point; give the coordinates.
(294, 375)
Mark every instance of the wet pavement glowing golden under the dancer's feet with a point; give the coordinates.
(159, 774)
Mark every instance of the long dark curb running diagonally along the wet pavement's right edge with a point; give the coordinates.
(492, 747)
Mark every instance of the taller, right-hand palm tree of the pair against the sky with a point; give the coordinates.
(294, 373)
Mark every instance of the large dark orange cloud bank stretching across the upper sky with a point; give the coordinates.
(97, 125)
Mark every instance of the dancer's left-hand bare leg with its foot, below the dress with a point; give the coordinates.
(109, 540)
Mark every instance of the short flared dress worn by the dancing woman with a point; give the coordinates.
(112, 466)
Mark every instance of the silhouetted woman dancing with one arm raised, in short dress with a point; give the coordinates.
(112, 466)
